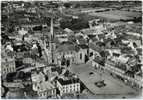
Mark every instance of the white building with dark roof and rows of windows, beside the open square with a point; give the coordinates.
(68, 86)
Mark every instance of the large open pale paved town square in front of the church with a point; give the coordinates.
(113, 86)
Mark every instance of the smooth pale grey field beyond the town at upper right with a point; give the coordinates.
(117, 15)
